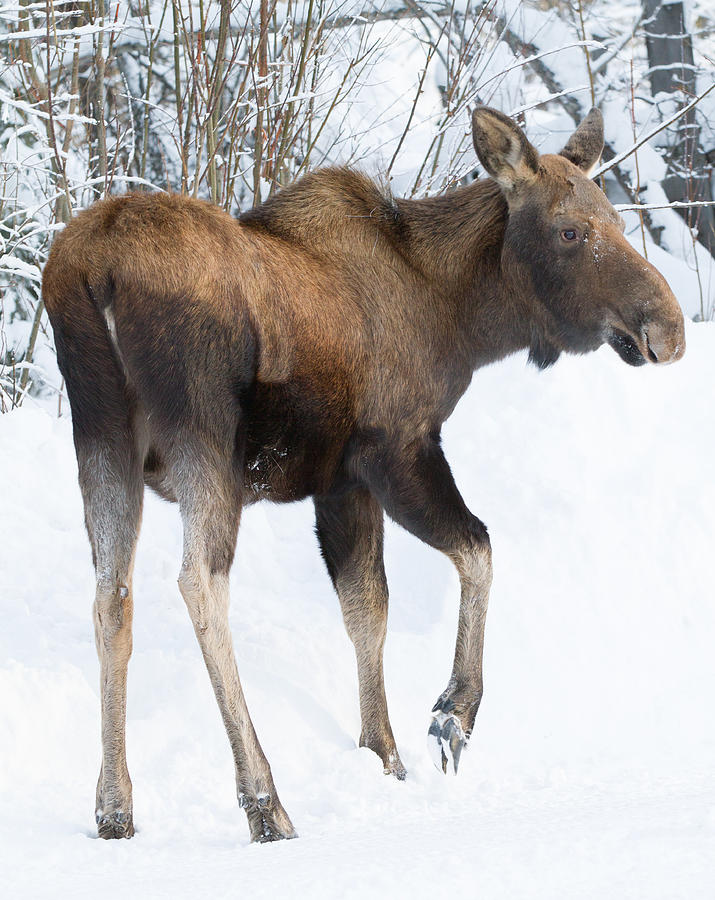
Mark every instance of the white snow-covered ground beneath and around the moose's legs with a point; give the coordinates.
(591, 772)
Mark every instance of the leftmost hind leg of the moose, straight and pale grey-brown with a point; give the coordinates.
(112, 489)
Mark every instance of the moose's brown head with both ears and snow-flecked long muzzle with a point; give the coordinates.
(564, 243)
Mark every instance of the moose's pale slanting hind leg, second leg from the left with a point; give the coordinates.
(210, 509)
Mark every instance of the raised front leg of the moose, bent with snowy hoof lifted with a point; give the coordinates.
(415, 486)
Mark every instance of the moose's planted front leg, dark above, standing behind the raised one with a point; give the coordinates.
(350, 532)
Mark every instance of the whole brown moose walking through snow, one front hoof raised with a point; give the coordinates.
(313, 347)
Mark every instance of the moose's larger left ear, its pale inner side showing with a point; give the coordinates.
(502, 148)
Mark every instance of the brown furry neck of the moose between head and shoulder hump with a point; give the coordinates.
(455, 241)
